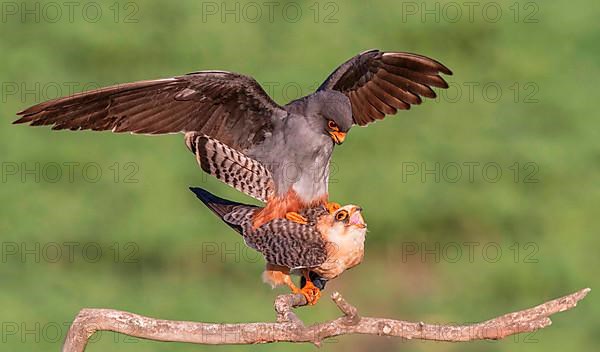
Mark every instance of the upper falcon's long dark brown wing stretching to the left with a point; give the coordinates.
(229, 107)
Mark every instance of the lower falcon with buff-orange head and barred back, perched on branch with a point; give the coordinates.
(319, 250)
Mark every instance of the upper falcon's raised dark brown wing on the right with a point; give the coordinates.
(380, 83)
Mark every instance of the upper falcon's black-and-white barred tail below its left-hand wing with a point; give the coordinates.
(230, 166)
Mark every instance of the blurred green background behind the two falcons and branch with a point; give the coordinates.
(520, 102)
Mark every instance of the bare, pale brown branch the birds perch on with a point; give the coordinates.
(290, 328)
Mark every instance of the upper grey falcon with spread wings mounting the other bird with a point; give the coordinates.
(238, 132)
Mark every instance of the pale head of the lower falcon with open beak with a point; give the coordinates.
(345, 223)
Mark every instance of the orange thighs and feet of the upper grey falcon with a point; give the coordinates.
(277, 207)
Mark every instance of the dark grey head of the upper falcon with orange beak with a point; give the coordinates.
(331, 112)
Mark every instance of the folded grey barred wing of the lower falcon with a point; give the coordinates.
(287, 243)
